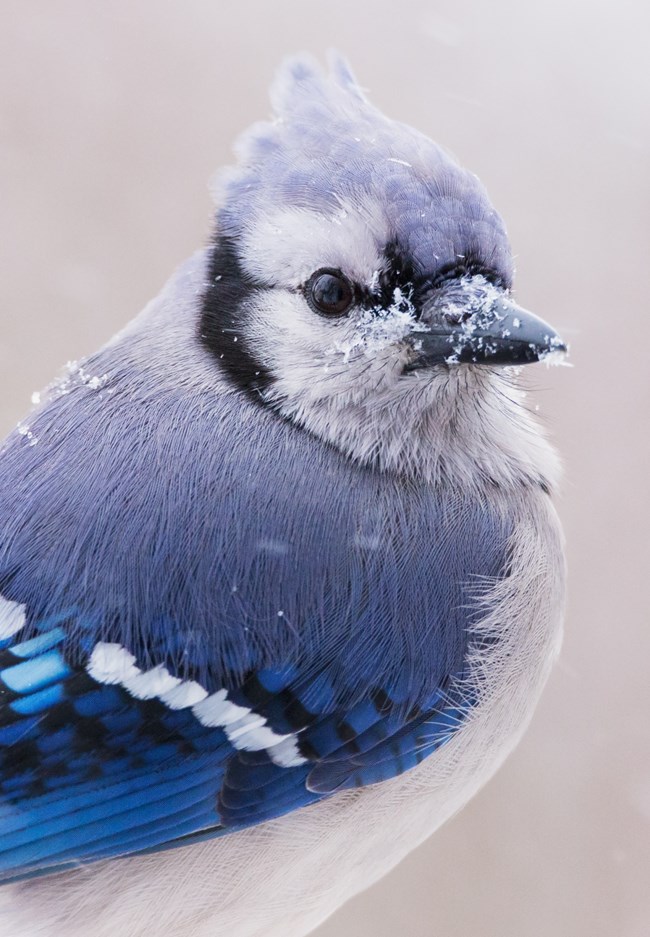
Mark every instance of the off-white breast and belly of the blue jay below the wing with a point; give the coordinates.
(283, 878)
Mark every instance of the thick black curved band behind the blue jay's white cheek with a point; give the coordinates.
(220, 326)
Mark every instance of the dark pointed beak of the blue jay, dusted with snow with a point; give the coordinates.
(497, 332)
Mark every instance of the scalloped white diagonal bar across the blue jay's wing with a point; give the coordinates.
(246, 730)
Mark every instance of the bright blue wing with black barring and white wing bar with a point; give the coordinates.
(99, 758)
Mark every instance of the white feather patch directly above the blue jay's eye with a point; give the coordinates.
(286, 247)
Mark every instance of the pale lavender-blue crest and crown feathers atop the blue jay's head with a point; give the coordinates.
(328, 147)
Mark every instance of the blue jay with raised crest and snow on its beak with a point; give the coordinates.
(281, 578)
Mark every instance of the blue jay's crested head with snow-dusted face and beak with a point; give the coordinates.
(360, 283)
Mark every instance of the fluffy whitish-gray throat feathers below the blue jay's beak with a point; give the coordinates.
(466, 427)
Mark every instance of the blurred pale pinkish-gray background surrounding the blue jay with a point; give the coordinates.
(113, 116)
